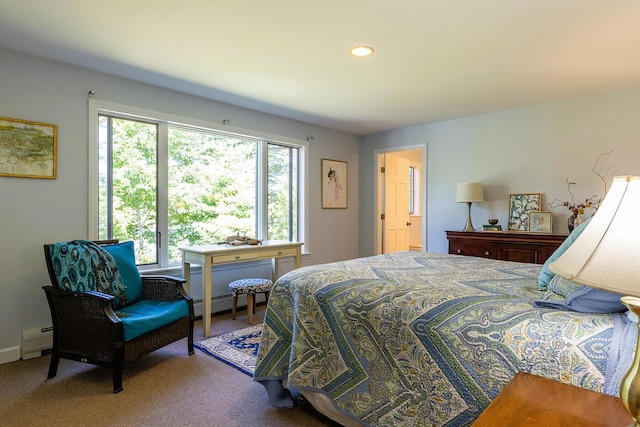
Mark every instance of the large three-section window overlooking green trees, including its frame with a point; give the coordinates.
(166, 185)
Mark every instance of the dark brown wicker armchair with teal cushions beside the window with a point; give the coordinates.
(87, 328)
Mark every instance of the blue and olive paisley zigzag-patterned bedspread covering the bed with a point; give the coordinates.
(415, 338)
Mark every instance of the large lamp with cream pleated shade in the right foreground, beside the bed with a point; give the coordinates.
(607, 256)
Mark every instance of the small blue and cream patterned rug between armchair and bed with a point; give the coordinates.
(237, 348)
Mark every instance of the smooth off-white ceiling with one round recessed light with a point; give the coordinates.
(434, 60)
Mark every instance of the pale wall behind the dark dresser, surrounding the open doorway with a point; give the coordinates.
(532, 149)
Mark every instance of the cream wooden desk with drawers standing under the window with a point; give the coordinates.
(209, 255)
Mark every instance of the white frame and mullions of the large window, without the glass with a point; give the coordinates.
(97, 107)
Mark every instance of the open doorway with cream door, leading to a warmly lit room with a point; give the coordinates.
(401, 199)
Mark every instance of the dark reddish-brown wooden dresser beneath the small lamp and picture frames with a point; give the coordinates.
(508, 246)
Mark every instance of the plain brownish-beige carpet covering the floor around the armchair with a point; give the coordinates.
(165, 388)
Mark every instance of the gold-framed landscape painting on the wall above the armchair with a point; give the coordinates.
(27, 149)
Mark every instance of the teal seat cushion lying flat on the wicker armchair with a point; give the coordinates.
(148, 315)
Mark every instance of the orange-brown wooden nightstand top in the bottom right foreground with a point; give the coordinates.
(530, 400)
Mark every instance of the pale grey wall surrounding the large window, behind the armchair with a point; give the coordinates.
(38, 211)
